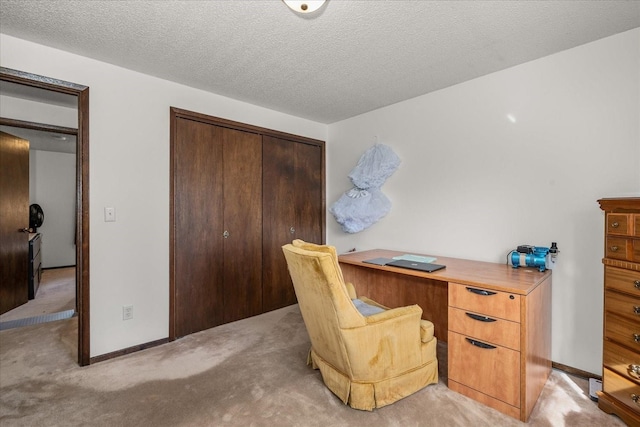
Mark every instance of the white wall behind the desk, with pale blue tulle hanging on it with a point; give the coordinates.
(474, 185)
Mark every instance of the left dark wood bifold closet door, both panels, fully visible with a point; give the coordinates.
(218, 225)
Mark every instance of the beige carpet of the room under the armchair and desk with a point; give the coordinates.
(247, 373)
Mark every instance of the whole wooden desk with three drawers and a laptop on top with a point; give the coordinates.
(514, 320)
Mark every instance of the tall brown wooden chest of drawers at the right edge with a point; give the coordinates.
(621, 346)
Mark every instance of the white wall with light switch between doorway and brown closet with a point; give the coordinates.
(129, 170)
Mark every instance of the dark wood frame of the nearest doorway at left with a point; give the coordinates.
(82, 193)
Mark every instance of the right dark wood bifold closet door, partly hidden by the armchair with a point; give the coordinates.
(292, 205)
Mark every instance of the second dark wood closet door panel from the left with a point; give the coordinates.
(242, 205)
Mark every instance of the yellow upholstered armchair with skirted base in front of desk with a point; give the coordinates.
(369, 355)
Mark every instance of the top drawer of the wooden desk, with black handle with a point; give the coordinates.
(502, 305)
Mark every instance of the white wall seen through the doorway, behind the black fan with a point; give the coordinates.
(52, 185)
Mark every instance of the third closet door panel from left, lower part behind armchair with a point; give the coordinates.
(279, 208)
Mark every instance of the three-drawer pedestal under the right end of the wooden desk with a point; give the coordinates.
(494, 356)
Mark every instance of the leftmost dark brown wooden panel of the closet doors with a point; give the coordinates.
(197, 261)
